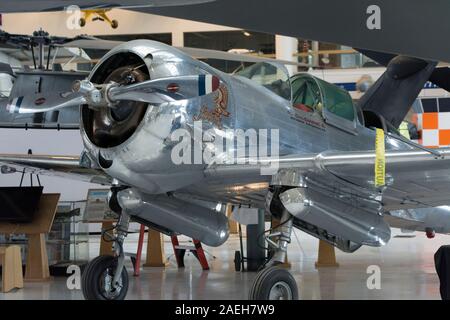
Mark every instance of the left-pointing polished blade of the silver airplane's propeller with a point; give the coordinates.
(41, 103)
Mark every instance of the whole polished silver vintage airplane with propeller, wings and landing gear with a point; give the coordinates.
(325, 165)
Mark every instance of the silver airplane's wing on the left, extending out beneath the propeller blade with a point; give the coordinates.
(59, 166)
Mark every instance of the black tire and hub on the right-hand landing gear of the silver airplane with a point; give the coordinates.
(274, 283)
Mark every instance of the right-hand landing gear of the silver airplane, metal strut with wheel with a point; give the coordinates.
(274, 282)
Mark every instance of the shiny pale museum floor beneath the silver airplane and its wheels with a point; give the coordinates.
(407, 272)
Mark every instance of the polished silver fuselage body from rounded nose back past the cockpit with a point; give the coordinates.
(144, 159)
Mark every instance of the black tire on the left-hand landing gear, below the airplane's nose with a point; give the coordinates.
(92, 280)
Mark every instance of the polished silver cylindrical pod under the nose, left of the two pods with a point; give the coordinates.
(200, 223)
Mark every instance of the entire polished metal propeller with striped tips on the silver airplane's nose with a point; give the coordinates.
(108, 95)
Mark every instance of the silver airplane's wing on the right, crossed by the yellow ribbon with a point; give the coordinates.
(414, 179)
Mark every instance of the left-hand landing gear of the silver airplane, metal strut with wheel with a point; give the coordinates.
(105, 277)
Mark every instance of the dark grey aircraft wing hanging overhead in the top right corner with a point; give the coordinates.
(410, 27)
